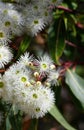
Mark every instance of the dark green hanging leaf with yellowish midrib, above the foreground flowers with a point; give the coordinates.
(56, 39)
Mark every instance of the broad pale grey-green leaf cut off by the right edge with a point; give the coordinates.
(76, 84)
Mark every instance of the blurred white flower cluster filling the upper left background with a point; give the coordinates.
(22, 16)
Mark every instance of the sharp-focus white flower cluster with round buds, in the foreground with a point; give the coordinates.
(26, 84)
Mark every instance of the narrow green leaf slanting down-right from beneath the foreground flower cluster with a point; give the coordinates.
(58, 116)
